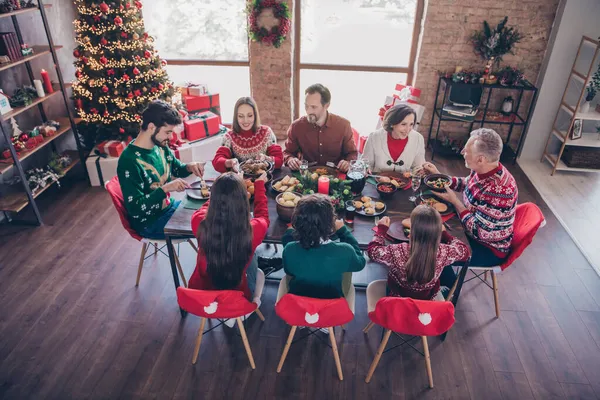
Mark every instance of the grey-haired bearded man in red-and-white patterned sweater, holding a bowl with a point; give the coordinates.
(489, 200)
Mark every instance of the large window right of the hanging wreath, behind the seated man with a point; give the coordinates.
(359, 49)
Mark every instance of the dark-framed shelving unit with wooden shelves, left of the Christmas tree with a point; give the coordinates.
(17, 201)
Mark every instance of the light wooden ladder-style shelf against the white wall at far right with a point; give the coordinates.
(587, 57)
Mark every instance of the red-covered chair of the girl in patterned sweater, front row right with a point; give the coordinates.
(406, 316)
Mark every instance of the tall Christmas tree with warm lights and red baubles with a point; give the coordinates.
(117, 68)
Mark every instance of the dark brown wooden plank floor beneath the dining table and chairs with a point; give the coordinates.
(73, 326)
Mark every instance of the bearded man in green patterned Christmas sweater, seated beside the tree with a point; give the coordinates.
(146, 167)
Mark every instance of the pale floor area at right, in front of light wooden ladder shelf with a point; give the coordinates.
(574, 197)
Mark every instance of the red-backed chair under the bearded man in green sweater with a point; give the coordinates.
(114, 189)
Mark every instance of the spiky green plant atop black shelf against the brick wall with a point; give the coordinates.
(493, 44)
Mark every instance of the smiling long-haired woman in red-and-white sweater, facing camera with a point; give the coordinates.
(247, 139)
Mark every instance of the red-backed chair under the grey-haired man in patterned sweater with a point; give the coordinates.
(528, 219)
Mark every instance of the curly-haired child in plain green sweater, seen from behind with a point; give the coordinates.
(318, 267)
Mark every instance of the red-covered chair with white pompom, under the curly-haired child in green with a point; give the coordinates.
(313, 313)
